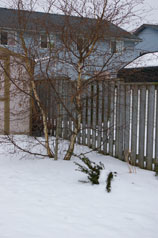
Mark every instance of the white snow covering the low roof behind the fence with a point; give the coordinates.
(146, 60)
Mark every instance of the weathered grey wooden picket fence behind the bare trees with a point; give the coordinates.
(116, 117)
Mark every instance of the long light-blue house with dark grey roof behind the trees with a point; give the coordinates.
(42, 32)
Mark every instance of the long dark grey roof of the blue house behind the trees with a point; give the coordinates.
(39, 21)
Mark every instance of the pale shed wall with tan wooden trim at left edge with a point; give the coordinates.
(14, 103)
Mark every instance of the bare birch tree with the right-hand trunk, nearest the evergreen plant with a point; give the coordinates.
(84, 54)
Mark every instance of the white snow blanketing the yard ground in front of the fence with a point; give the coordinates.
(43, 198)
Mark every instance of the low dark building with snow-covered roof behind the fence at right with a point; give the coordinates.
(143, 69)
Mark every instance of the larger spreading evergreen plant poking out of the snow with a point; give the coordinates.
(90, 168)
